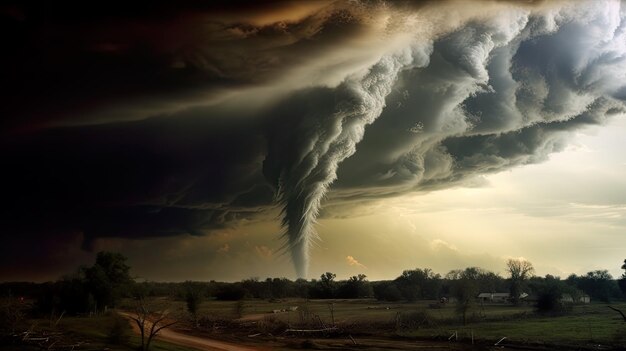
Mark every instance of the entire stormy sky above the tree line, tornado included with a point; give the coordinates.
(229, 140)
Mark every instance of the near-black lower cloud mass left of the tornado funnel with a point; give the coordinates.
(150, 178)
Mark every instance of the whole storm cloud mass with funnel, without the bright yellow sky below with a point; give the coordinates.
(188, 119)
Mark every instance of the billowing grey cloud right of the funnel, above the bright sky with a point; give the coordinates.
(505, 100)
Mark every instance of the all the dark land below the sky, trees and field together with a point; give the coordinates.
(102, 307)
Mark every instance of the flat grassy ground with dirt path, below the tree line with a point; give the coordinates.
(359, 324)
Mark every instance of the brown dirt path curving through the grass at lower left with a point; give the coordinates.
(192, 341)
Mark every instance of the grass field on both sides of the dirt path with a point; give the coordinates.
(586, 325)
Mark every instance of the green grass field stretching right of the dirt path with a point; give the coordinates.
(584, 325)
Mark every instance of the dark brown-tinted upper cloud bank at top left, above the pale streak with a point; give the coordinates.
(107, 62)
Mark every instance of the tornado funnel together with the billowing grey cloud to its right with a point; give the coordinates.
(460, 90)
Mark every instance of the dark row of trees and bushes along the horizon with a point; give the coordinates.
(102, 285)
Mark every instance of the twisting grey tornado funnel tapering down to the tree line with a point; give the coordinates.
(303, 184)
